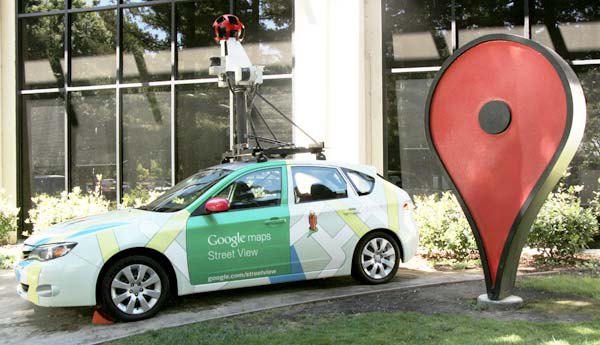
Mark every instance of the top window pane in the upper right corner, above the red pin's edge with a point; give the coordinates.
(572, 29)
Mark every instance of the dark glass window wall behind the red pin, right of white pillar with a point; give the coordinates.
(567, 27)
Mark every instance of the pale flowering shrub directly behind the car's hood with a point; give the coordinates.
(49, 210)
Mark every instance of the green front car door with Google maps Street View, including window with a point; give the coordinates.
(251, 240)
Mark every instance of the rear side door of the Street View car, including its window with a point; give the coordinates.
(320, 202)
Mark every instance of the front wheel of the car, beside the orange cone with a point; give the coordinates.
(134, 288)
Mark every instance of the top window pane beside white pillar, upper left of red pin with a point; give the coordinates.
(417, 32)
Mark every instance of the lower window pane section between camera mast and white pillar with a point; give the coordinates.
(279, 93)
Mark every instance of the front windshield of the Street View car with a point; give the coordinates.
(186, 191)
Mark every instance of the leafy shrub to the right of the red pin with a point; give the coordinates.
(563, 227)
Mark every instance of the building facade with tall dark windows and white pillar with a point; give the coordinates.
(115, 94)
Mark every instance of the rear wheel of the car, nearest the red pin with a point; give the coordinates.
(376, 258)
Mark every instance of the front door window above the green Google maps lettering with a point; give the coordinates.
(256, 189)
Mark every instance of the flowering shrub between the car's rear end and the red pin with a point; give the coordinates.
(444, 230)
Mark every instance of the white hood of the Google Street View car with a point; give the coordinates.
(73, 229)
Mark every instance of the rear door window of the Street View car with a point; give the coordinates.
(318, 183)
